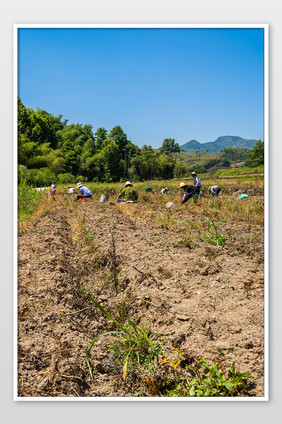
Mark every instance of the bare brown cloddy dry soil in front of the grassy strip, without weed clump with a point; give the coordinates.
(206, 300)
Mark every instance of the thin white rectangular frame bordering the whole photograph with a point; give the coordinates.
(266, 211)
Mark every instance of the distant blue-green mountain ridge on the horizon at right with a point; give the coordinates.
(219, 144)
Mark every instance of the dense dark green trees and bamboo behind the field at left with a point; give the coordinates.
(51, 149)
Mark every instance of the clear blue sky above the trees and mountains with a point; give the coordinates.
(182, 83)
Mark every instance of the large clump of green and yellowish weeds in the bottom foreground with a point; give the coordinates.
(134, 350)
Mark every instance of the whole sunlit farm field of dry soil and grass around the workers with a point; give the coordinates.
(142, 299)
